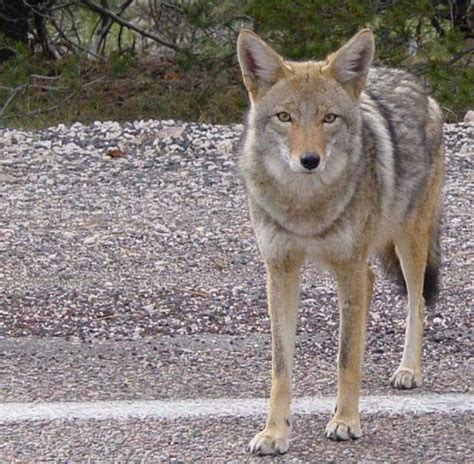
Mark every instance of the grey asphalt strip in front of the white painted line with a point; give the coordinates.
(427, 438)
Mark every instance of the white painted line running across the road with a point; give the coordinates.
(173, 409)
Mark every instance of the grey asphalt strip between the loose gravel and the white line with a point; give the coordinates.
(186, 367)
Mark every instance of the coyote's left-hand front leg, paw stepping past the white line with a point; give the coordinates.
(283, 295)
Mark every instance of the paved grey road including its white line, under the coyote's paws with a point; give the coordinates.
(177, 372)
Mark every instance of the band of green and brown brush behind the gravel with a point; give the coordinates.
(201, 80)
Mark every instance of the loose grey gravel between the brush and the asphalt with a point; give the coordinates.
(123, 231)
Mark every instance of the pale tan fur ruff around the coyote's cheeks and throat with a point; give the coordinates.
(305, 204)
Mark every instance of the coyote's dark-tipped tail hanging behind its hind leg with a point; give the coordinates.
(391, 265)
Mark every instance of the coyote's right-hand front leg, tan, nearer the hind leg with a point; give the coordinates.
(355, 291)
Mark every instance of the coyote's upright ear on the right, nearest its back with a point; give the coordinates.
(350, 64)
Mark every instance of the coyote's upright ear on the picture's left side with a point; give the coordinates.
(261, 66)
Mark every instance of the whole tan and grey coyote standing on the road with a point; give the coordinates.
(340, 161)
